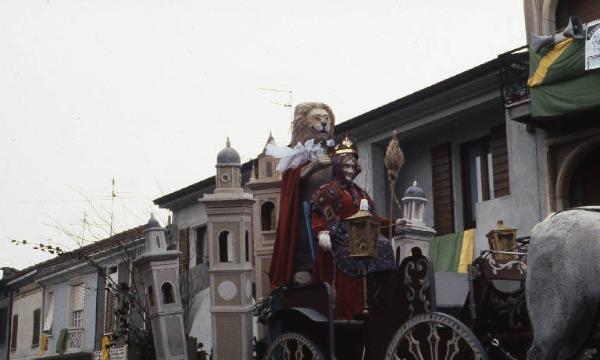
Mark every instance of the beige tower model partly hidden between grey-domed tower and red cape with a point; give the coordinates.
(265, 183)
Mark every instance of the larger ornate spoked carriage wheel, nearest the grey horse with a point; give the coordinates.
(435, 336)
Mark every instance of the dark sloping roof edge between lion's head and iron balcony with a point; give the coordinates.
(428, 92)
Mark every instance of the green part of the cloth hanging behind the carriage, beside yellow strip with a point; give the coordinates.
(444, 252)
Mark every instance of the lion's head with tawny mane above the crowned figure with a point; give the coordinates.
(312, 121)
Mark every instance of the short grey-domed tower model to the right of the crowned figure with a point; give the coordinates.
(411, 230)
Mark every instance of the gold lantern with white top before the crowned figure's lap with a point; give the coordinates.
(363, 228)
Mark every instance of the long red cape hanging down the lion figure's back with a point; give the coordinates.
(286, 237)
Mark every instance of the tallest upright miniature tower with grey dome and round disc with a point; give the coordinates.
(229, 217)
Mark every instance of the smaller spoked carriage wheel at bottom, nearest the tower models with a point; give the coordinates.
(293, 346)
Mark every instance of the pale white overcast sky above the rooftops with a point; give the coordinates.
(147, 91)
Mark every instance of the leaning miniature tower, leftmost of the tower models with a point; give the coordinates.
(159, 268)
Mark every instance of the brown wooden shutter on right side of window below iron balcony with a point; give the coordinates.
(500, 161)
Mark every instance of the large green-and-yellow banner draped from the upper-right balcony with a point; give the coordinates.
(558, 81)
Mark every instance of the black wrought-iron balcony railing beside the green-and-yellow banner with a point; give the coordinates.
(514, 72)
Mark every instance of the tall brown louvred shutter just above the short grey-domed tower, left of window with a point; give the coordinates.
(443, 203)
